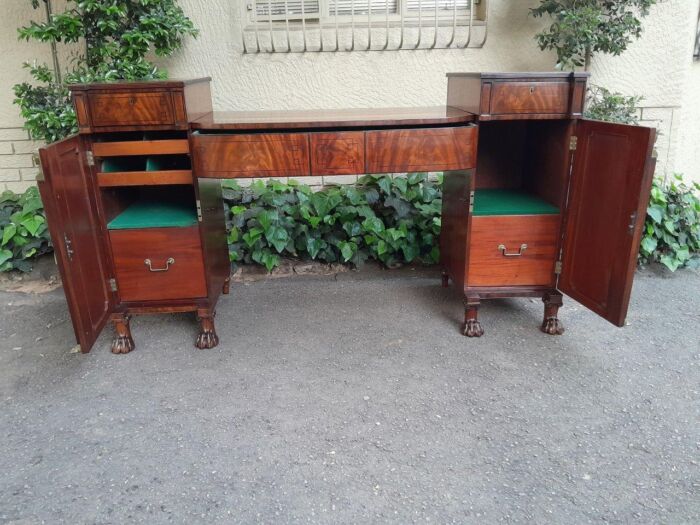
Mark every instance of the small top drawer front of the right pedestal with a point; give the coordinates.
(530, 97)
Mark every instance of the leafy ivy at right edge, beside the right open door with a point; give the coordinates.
(672, 228)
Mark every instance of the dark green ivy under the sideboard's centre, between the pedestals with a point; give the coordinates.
(390, 220)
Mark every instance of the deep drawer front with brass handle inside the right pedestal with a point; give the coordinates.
(488, 266)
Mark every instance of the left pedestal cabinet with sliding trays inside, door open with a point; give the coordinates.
(134, 232)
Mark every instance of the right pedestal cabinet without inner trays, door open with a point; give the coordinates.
(555, 205)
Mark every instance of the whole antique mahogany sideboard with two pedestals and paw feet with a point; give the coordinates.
(537, 200)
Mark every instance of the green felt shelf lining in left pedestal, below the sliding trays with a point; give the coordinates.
(149, 214)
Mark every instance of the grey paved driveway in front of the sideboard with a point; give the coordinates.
(354, 399)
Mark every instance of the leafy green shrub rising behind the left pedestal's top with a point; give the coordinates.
(115, 38)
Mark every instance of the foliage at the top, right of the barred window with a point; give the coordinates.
(581, 28)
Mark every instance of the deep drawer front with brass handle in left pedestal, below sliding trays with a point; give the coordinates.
(158, 263)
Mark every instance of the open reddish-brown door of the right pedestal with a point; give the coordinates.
(611, 180)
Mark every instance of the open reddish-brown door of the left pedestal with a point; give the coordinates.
(68, 193)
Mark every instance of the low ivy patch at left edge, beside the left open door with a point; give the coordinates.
(23, 232)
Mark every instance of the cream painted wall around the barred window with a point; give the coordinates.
(658, 66)
